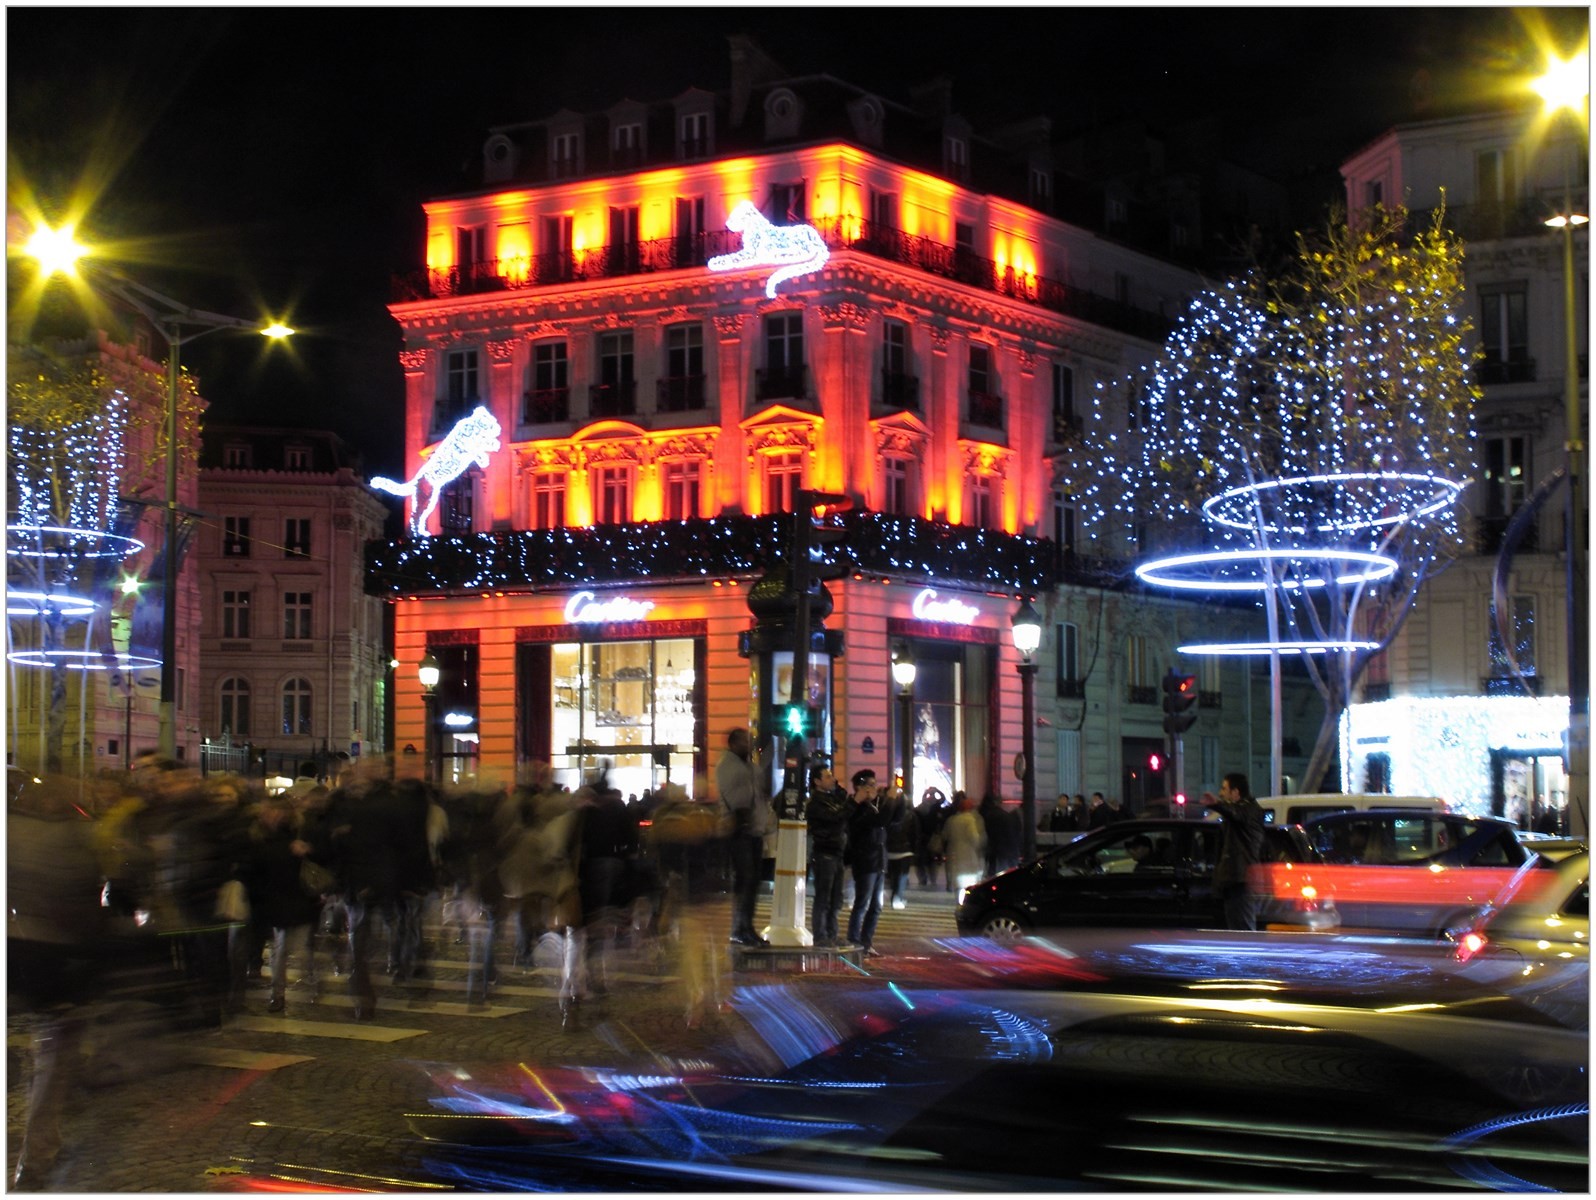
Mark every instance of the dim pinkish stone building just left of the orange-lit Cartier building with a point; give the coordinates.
(293, 649)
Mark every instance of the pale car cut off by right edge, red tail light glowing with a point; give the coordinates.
(1543, 915)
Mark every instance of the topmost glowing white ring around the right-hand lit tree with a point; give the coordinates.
(1242, 508)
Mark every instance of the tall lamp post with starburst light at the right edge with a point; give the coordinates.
(1566, 85)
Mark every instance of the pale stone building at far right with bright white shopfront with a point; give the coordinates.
(1448, 679)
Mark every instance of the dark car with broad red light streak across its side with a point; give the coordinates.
(1410, 872)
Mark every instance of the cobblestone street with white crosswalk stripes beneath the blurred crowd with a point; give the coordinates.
(188, 1113)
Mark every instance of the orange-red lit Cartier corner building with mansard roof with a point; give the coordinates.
(585, 591)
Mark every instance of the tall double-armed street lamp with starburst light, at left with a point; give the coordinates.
(60, 253)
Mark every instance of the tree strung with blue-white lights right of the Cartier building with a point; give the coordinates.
(1325, 406)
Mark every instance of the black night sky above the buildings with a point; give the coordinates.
(279, 159)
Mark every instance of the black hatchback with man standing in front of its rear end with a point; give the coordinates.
(1145, 874)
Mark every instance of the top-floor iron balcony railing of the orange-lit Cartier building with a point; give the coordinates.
(842, 234)
